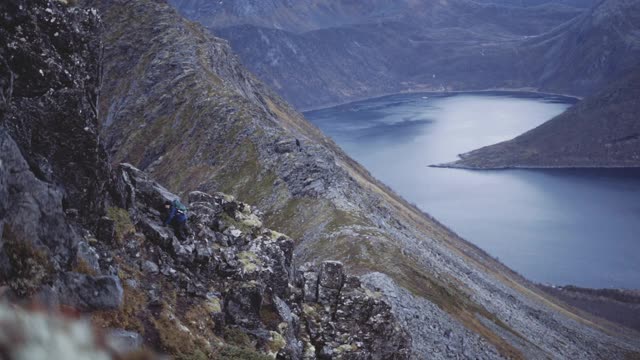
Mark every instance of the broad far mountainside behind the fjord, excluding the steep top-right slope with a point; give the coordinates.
(393, 46)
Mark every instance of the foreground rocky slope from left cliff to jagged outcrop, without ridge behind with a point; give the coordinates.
(229, 291)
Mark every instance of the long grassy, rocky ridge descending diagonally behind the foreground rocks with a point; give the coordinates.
(184, 110)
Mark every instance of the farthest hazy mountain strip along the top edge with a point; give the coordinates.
(304, 16)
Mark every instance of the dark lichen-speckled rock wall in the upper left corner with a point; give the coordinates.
(52, 115)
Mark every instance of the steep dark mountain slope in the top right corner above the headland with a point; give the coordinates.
(591, 51)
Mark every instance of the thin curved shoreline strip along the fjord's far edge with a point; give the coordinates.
(424, 91)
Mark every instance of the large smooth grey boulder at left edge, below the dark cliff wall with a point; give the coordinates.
(36, 240)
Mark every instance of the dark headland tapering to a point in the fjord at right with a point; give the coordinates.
(600, 131)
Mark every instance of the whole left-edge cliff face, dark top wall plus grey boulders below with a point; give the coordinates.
(55, 175)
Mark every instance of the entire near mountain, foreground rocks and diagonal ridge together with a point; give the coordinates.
(111, 108)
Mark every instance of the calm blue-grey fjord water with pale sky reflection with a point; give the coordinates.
(555, 226)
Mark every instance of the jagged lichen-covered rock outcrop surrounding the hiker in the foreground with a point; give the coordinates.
(233, 277)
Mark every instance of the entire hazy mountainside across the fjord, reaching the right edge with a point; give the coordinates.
(427, 46)
